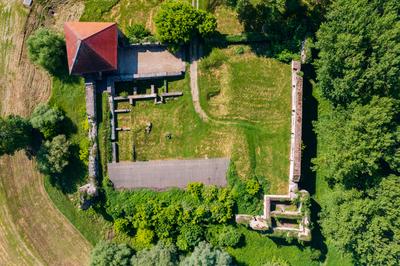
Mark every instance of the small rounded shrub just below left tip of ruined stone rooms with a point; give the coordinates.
(223, 236)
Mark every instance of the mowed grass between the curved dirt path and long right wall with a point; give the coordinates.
(254, 94)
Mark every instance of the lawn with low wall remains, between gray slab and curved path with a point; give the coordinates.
(190, 137)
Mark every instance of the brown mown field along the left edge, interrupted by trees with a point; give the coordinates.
(32, 230)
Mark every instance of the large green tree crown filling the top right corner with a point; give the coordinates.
(359, 50)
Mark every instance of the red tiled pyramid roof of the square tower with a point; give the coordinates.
(91, 46)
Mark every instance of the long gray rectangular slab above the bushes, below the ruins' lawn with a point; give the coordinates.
(164, 174)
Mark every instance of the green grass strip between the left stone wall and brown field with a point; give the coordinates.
(69, 95)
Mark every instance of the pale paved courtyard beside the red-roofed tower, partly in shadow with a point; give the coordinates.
(146, 60)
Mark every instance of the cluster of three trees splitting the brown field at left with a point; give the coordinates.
(40, 135)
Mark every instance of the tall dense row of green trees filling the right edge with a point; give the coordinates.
(358, 72)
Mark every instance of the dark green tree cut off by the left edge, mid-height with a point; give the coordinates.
(15, 134)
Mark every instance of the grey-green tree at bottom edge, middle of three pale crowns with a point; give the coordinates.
(159, 254)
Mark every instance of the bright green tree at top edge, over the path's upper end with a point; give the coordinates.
(178, 22)
